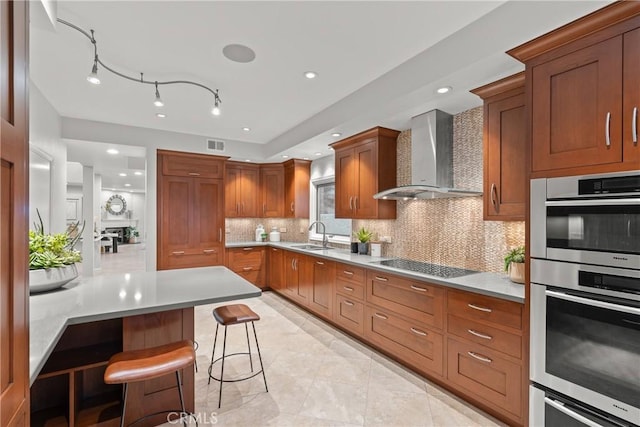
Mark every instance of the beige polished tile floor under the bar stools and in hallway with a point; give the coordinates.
(317, 375)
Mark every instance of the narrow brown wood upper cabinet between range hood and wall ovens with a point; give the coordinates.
(504, 141)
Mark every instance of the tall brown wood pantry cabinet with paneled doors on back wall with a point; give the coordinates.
(190, 210)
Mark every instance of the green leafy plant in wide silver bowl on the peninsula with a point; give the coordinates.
(52, 257)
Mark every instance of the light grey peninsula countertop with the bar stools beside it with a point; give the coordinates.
(120, 295)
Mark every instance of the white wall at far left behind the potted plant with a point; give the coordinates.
(45, 133)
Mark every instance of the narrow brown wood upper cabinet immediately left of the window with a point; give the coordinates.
(296, 185)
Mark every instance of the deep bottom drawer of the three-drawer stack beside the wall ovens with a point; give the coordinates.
(483, 373)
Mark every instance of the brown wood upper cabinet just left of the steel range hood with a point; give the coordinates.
(365, 165)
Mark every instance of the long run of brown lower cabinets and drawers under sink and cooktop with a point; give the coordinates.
(472, 344)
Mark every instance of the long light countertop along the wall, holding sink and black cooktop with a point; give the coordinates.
(491, 284)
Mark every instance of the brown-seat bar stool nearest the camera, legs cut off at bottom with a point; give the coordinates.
(146, 364)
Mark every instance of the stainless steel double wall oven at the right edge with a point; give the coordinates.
(585, 300)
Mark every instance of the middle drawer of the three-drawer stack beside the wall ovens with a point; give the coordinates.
(483, 334)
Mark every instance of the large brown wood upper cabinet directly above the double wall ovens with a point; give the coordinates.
(583, 90)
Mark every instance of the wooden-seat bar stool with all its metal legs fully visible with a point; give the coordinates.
(235, 314)
